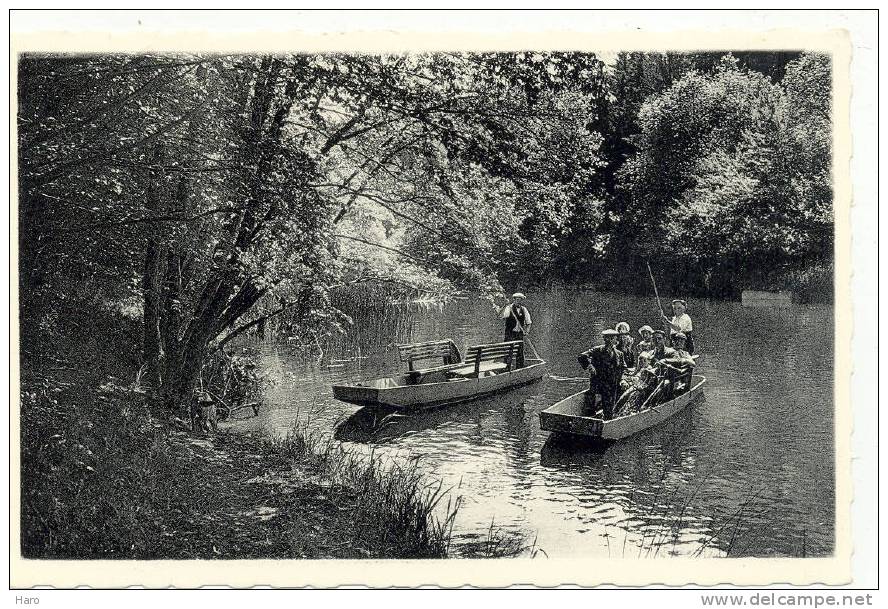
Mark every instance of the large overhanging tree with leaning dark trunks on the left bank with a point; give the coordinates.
(224, 191)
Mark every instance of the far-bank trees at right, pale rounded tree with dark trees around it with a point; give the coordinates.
(719, 174)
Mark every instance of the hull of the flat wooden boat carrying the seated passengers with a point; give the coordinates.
(571, 415)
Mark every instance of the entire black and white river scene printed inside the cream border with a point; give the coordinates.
(519, 304)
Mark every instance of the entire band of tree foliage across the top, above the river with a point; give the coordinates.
(209, 195)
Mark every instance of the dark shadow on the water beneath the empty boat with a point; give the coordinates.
(375, 425)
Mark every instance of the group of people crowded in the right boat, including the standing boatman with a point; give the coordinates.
(630, 376)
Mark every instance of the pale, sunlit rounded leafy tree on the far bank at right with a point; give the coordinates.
(732, 174)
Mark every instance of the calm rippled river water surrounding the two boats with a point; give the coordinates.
(747, 470)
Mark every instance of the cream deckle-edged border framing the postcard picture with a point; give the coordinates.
(495, 573)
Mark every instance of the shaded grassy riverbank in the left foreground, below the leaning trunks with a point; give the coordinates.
(107, 473)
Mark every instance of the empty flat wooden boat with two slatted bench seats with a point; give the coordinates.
(487, 369)
